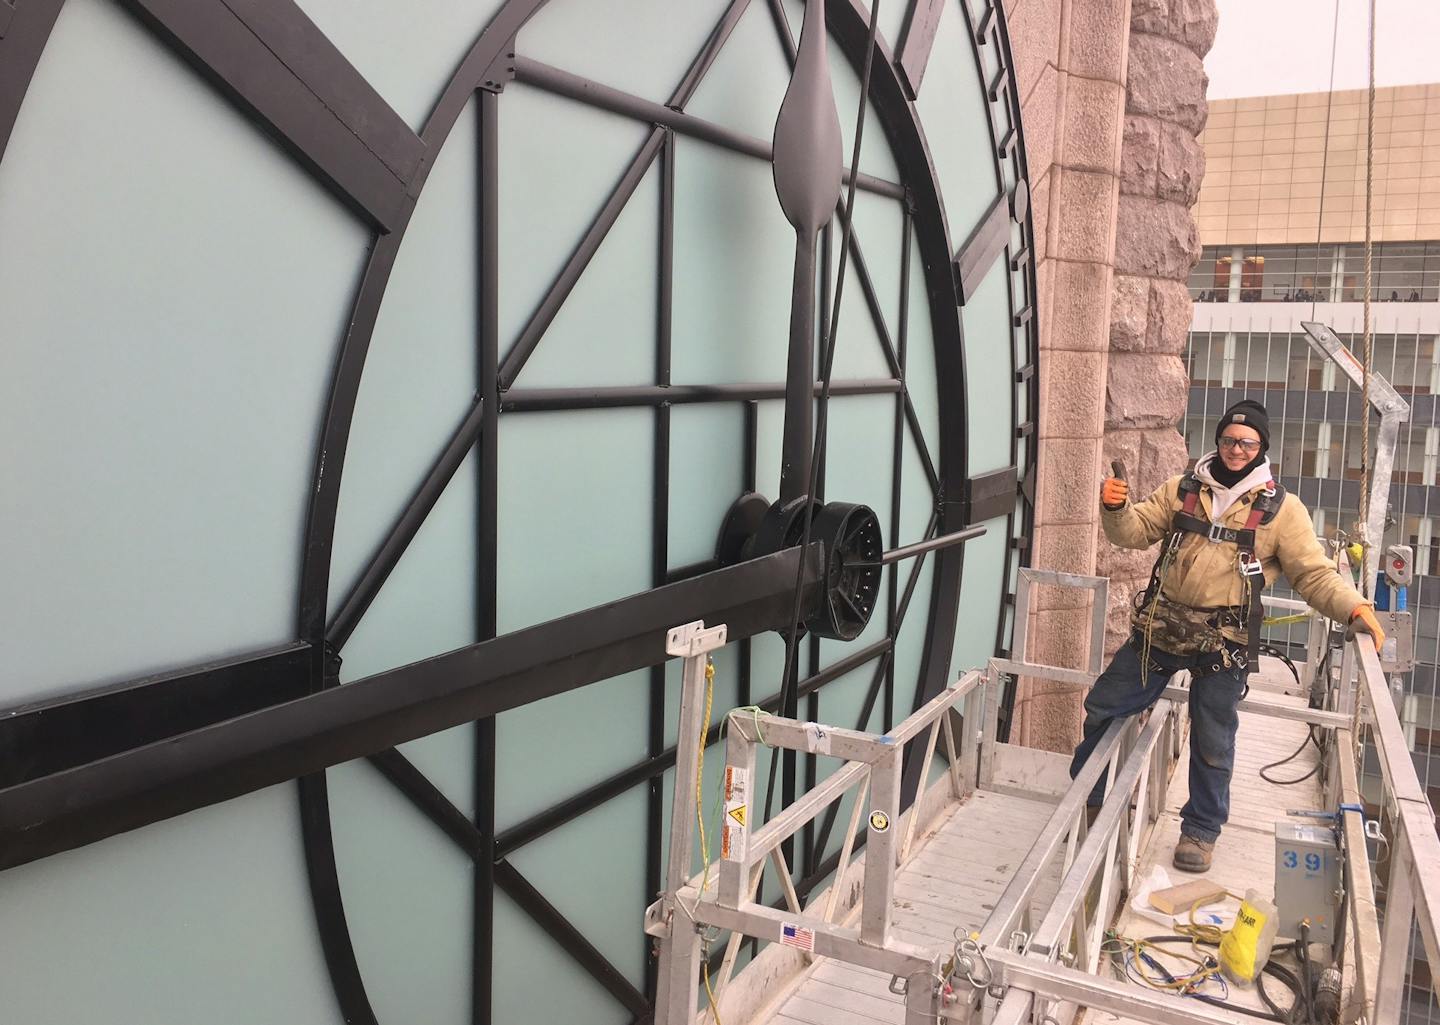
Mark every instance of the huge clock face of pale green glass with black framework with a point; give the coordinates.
(320, 376)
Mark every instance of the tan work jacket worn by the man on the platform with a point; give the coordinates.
(1206, 574)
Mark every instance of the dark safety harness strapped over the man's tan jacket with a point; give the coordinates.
(1186, 522)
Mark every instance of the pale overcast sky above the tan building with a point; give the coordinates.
(1272, 47)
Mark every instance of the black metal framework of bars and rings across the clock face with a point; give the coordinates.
(198, 736)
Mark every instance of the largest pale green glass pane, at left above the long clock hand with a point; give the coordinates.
(175, 290)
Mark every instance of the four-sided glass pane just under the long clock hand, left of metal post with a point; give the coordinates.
(554, 749)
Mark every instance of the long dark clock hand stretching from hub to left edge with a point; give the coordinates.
(225, 761)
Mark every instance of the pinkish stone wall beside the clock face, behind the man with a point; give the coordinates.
(1112, 97)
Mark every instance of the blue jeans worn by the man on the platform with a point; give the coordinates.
(1125, 690)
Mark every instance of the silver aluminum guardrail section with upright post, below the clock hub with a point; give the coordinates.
(724, 896)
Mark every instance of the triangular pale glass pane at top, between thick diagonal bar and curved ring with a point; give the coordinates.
(408, 53)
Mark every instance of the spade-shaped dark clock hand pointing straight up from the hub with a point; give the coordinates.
(809, 165)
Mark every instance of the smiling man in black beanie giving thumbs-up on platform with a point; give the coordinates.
(1229, 530)
